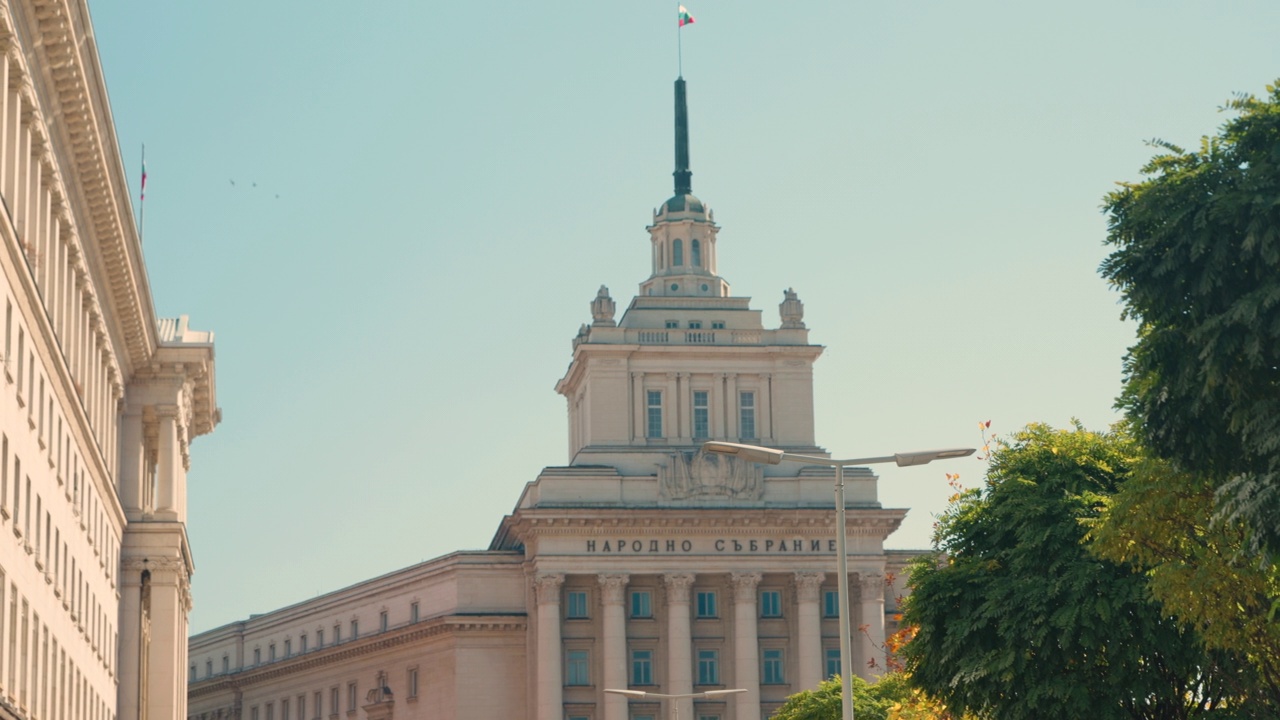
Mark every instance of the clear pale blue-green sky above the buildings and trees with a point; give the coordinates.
(395, 217)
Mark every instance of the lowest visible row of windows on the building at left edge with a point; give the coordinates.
(36, 672)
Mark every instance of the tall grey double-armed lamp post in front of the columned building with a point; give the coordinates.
(772, 457)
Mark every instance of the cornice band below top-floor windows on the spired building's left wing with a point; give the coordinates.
(451, 625)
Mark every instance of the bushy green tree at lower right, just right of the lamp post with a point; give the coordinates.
(1016, 619)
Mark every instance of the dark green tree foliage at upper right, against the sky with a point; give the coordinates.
(1197, 258)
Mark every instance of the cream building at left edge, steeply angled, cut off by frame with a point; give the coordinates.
(99, 402)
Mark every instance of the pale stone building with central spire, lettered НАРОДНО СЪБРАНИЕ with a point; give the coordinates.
(641, 564)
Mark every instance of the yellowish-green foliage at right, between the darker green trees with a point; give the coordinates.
(1160, 523)
